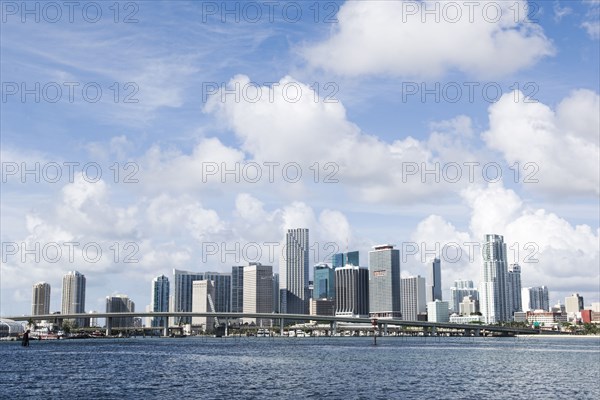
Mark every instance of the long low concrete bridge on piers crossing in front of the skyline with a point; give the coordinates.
(381, 323)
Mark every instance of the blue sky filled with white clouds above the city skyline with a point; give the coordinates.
(139, 137)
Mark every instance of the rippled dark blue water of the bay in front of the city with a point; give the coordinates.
(298, 368)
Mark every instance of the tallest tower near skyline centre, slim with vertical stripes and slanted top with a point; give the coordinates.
(293, 272)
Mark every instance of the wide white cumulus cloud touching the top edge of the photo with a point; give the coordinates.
(392, 38)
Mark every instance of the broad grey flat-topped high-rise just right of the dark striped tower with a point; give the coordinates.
(384, 282)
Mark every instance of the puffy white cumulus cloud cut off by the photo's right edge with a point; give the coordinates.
(563, 144)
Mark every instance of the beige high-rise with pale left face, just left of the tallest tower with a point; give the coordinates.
(258, 292)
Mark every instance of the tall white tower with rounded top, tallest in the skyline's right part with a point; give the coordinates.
(493, 292)
